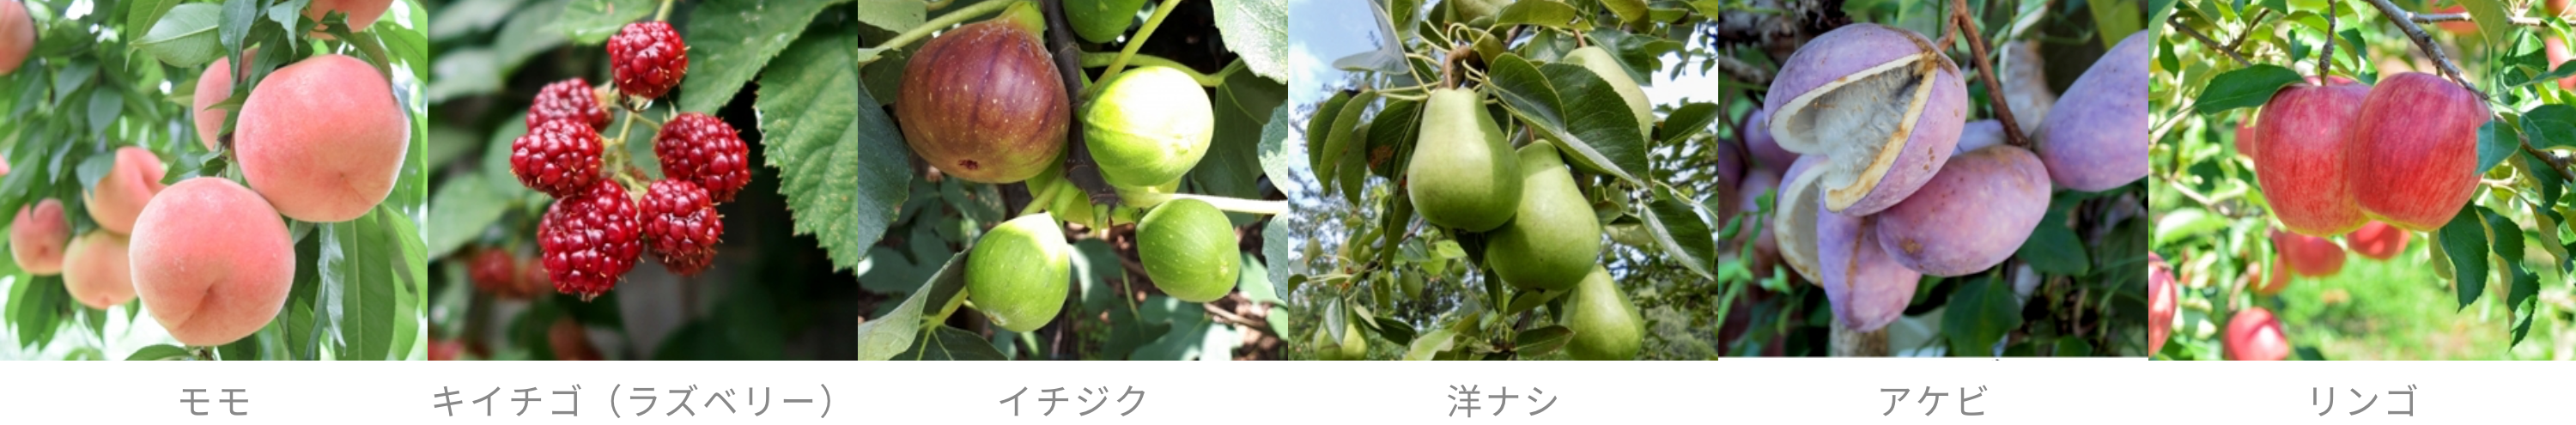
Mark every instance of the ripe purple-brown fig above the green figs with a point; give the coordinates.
(983, 102)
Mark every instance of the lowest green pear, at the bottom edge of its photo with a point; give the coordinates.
(1604, 321)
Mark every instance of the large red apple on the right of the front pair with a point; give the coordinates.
(2415, 151)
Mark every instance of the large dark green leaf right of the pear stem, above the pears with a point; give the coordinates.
(1578, 109)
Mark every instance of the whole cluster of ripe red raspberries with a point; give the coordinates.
(599, 231)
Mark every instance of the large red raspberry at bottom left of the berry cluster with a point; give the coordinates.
(591, 241)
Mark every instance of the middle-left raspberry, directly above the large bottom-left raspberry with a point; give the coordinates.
(558, 158)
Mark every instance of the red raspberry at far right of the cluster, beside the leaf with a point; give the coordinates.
(705, 151)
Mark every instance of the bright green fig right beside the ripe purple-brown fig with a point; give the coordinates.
(1148, 127)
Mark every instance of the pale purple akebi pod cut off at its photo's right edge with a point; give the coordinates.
(2096, 138)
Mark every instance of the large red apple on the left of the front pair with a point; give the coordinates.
(2302, 158)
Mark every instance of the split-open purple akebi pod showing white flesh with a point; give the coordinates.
(1882, 102)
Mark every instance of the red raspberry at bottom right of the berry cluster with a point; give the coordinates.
(681, 225)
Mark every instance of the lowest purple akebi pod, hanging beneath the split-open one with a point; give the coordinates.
(1864, 282)
